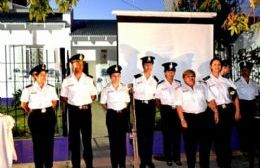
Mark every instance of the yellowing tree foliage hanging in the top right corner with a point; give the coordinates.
(235, 20)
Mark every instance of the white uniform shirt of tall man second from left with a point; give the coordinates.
(78, 92)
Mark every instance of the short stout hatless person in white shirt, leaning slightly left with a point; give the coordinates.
(192, 100)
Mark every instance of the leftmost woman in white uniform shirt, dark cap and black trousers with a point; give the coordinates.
(39, 101)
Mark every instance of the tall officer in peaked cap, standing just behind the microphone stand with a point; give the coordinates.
(144, 87)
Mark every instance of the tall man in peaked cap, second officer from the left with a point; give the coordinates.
(78, 91)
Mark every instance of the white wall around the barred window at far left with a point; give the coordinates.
(51, 40)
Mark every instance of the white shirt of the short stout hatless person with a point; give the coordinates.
(193, 100)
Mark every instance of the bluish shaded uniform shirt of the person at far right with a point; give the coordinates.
(247, 91)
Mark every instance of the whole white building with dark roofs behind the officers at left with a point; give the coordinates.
(24, 44)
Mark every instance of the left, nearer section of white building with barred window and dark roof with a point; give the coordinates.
(24, 44)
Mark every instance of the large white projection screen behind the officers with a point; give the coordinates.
(183, 37)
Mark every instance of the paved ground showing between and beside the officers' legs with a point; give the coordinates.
(101, 150)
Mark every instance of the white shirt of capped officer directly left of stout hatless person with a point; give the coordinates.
(166, 92)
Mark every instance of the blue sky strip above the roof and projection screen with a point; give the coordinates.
(102, 9)
